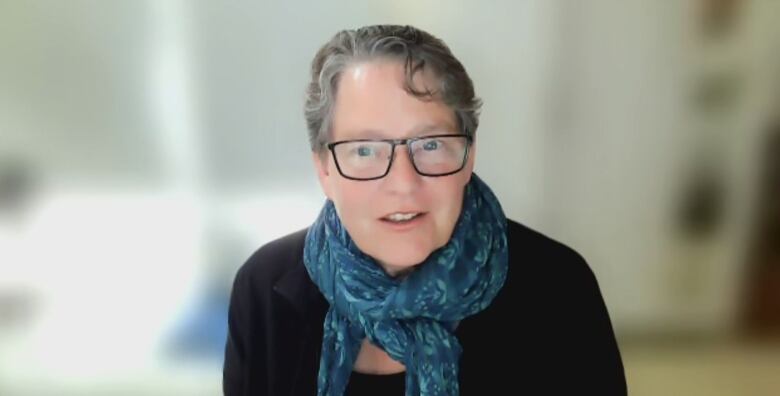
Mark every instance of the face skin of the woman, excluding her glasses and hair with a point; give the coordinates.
(372, 103)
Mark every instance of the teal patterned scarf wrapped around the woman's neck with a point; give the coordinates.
(412, 319)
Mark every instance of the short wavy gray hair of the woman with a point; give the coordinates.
(417, 50)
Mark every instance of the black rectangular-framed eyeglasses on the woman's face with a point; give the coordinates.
(370, 159)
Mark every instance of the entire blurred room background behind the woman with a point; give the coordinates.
(147, 148)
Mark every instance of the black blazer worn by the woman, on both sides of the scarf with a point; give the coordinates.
(546, 333)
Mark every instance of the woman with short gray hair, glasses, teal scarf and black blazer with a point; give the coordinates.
(411, 280)
